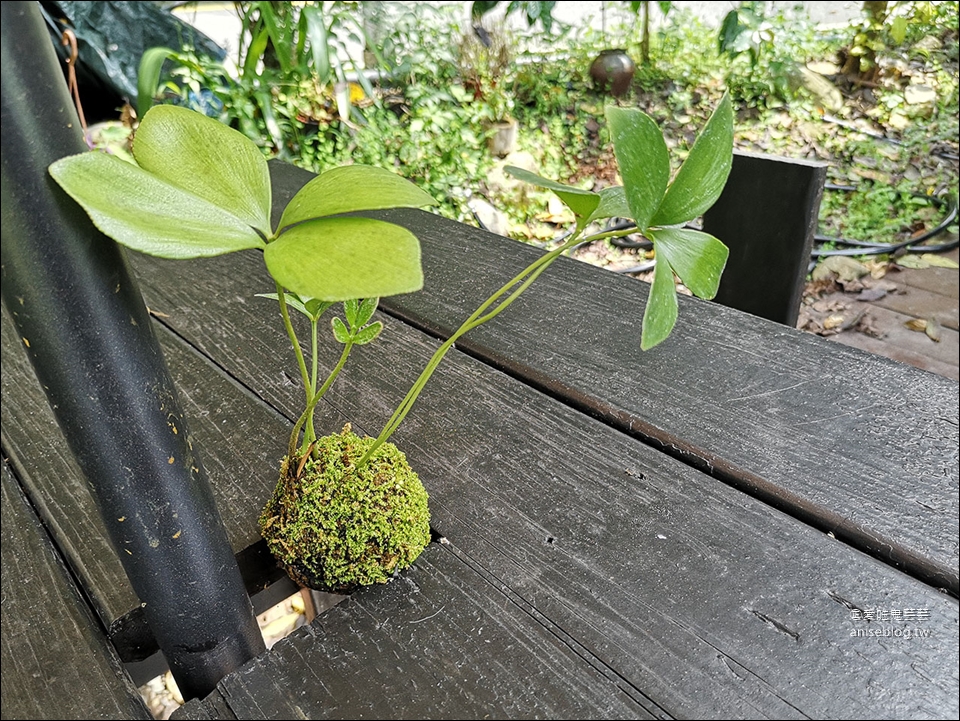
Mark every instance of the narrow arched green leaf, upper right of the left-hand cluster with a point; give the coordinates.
(350, 188)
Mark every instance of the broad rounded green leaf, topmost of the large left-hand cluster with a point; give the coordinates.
(208, 159)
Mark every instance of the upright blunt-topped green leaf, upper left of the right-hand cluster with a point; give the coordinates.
(643, 159)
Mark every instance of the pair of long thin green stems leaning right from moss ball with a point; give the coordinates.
(519, 284)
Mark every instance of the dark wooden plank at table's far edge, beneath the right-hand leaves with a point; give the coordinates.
(828, 433)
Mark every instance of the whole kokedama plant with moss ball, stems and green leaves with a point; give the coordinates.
(348, 511)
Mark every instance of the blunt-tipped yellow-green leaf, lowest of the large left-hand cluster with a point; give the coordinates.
(337, 259)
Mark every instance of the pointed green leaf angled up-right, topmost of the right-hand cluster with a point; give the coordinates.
(704, 173)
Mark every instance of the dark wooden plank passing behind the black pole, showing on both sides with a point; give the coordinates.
(239, 437)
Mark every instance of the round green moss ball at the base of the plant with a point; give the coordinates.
(335, 529)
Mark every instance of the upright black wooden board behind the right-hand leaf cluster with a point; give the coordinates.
(767, 216)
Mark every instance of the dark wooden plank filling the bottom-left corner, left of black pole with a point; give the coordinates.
(57, 661)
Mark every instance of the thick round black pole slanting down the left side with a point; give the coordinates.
(89, 337)
